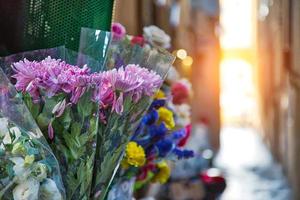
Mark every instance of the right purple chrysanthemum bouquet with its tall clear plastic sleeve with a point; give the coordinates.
(136, 73)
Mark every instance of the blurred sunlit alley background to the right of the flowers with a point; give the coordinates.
(242, 59)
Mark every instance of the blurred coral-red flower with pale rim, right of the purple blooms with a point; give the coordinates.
(180, 93)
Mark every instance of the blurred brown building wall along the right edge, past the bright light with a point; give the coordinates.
(279, 72)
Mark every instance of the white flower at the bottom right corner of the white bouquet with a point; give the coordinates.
(49, 190)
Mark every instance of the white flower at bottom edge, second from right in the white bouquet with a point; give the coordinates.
(27, 190)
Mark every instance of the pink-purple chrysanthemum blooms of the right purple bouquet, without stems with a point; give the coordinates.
(115, 85)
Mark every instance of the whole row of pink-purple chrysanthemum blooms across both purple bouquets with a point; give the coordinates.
(110, 88)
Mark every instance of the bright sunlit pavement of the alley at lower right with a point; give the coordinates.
(250, 171)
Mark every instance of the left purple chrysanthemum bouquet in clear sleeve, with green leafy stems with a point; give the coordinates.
(59, 99)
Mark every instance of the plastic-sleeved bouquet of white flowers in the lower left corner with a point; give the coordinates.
(28, 168)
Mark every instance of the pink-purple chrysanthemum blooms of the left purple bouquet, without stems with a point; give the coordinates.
(52, 77)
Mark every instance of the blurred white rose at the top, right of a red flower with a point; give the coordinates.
(156, 36)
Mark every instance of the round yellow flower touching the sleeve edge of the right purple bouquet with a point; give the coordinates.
(135, 155)
